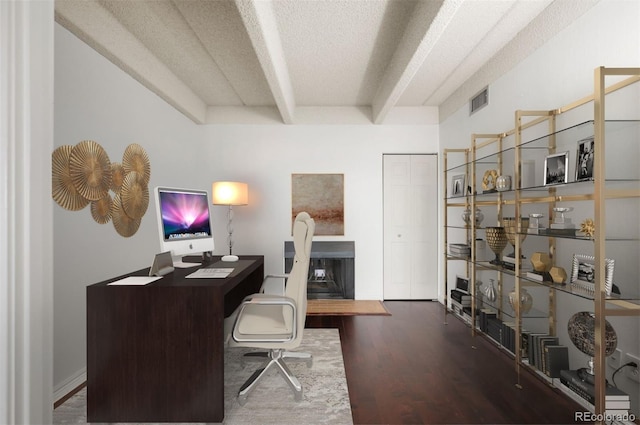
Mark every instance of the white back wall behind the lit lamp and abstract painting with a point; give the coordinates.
(266, 156)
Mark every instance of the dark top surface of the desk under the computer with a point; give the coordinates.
(241, 268)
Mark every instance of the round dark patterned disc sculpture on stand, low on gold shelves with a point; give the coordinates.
(582, 328)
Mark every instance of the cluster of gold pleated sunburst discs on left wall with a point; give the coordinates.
(118, 192)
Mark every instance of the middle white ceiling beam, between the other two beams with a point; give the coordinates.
(260, 22)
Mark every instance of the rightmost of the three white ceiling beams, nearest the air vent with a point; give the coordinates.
(427, 24)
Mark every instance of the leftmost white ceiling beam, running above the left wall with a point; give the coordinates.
(94, 25)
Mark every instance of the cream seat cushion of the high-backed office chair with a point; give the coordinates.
(264, 319)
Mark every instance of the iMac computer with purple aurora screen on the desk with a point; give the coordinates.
(184, 222)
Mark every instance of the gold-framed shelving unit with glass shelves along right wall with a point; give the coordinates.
(596, 194)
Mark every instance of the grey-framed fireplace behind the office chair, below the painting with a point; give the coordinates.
(331, 269)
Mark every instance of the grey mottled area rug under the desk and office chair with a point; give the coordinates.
(325, 399)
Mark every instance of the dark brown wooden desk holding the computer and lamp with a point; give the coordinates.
(155, 353)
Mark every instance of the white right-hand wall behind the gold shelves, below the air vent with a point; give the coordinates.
(557, 74)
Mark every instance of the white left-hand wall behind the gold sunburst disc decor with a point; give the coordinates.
(95, 100)
